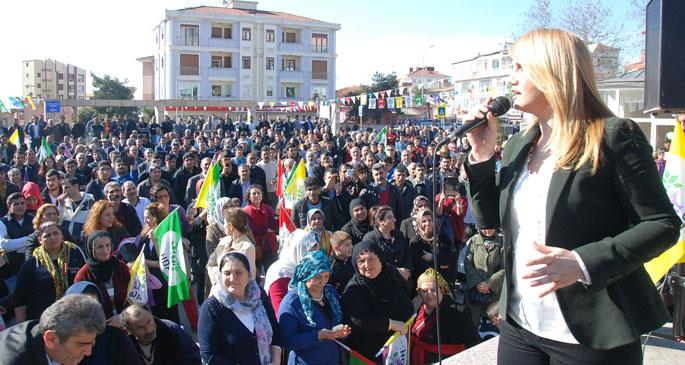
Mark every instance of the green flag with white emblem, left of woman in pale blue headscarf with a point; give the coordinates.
(172, 258)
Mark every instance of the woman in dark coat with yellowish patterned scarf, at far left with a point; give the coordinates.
(46, 276)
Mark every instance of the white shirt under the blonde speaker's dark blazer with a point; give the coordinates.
(541, 316)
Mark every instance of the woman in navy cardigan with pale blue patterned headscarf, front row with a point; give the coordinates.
(237, 323)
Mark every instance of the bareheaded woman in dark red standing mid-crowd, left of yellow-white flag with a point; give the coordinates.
(262, 222)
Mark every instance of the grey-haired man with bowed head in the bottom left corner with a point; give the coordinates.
(65, 334)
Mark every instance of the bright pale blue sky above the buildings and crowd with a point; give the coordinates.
(376, 35)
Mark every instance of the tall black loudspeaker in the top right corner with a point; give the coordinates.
(665, 57)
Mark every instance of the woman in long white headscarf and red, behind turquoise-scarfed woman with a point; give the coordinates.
(280, 273)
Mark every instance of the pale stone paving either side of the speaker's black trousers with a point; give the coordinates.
(657, 352)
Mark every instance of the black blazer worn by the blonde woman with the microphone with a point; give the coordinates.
(616, 220)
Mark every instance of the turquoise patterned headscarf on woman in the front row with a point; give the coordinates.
(311, 265)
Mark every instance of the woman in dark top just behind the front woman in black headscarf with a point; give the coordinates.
(391, 241)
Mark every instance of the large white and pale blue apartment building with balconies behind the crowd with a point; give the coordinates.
(240, 53)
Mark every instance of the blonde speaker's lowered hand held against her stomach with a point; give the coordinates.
(556, 268)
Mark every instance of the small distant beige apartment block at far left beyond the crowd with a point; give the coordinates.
(50, 79)
